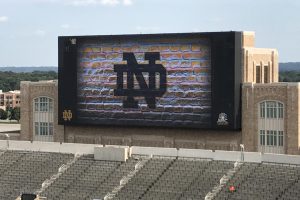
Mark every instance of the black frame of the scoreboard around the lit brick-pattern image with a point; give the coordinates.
(225, 74)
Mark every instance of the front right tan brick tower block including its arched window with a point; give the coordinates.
(268, 110)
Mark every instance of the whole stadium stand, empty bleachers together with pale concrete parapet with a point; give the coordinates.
(76, 171)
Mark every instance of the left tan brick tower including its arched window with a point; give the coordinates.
(39, 111)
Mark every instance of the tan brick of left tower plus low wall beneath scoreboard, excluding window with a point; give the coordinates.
(139, 136)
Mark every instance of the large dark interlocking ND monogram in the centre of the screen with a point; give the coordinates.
(150, 91)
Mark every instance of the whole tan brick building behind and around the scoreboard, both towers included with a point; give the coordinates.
(270, 115)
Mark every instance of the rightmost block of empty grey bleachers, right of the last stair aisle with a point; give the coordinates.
(263, 181)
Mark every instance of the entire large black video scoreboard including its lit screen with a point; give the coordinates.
(189, 80)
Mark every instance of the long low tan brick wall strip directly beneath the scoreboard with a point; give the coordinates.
(155, 137)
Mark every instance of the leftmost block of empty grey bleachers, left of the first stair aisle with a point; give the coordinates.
(23, 171)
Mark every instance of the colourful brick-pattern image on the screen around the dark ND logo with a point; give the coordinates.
(186, 101)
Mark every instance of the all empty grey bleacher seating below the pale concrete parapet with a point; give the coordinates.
(142, 177)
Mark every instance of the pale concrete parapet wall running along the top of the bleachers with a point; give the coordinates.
(121, 153)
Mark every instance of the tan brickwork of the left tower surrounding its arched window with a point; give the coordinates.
(30, 91)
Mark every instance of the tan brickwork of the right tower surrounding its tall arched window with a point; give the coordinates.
(253, 94)
